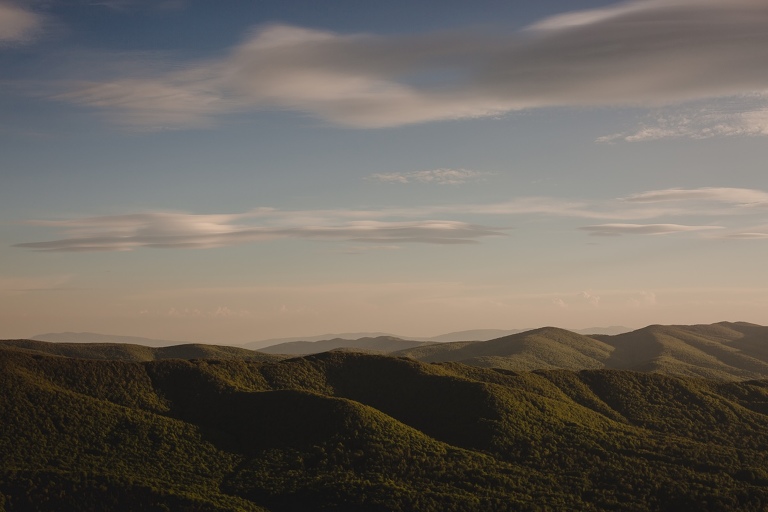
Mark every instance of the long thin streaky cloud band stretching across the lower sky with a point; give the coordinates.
(387, 227)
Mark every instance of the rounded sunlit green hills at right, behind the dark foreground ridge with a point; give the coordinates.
(731, 351)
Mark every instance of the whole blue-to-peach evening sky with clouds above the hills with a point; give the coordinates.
(226, 172)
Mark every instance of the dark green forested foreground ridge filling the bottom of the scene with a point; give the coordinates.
(346, 431)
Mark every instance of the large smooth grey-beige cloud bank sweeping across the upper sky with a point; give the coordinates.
(642, 52)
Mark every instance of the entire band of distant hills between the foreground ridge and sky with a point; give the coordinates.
(725, 350)
